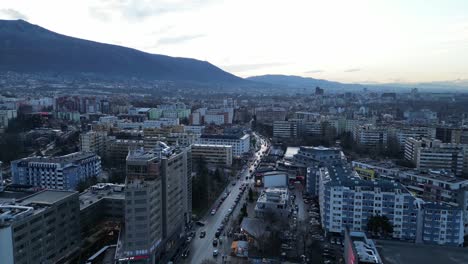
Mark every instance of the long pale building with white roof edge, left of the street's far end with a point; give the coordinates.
(213, 154)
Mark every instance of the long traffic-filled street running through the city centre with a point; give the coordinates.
(202, 248)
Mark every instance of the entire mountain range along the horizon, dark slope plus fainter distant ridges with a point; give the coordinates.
(29, 48)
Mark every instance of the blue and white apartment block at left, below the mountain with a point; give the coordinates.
(62, 172)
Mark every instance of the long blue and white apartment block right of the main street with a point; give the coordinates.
(347, 201)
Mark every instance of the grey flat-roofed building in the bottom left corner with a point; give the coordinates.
(41, 228)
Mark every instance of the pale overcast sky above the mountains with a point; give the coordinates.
(350, 40)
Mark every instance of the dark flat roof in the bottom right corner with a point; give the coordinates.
(397, 252)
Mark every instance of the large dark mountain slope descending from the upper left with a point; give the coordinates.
(29, 48)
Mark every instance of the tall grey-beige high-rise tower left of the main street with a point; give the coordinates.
(157, 204)
